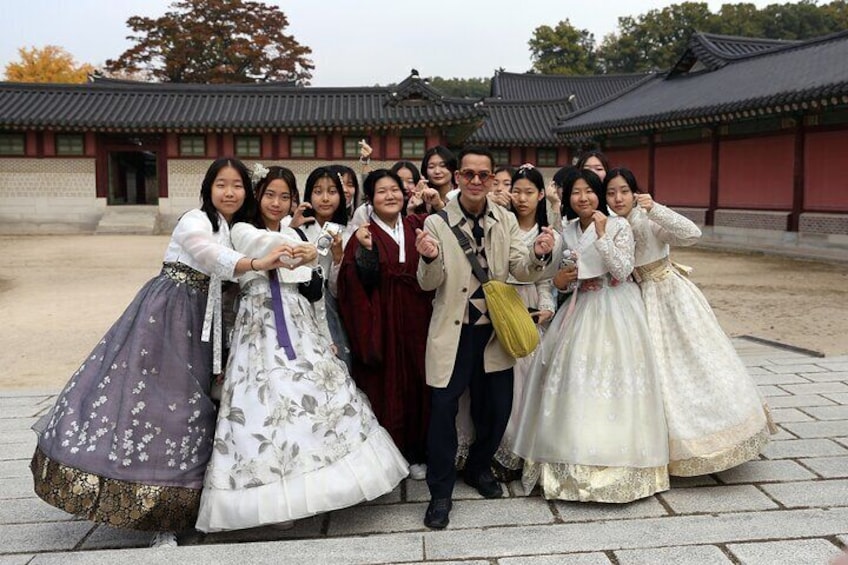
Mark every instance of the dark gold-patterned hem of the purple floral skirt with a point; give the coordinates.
(117, 503)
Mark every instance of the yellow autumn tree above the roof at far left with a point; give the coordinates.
(48, 64)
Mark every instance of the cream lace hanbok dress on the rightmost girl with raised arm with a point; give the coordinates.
(716, 418)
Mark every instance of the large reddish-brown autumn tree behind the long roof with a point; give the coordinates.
(215, 41)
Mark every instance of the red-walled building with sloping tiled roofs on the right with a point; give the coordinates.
(745, 136)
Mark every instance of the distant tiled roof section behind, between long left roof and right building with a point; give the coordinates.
(587, 89)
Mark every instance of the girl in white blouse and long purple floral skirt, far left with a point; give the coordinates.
(129, 437)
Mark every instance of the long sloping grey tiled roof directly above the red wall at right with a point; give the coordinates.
(790, 78)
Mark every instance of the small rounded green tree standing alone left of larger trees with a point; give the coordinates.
(563, 50)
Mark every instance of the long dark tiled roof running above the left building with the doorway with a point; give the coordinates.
(121, 105)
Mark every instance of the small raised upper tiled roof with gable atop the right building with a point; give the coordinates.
(712, 51)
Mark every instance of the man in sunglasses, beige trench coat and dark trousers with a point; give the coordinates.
(462, 348)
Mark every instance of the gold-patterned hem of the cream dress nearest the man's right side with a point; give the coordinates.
(586, 483)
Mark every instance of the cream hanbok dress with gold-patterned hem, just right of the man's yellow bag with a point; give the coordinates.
(593, 426)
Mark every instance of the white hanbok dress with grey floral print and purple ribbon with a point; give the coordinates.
(294, 437)
